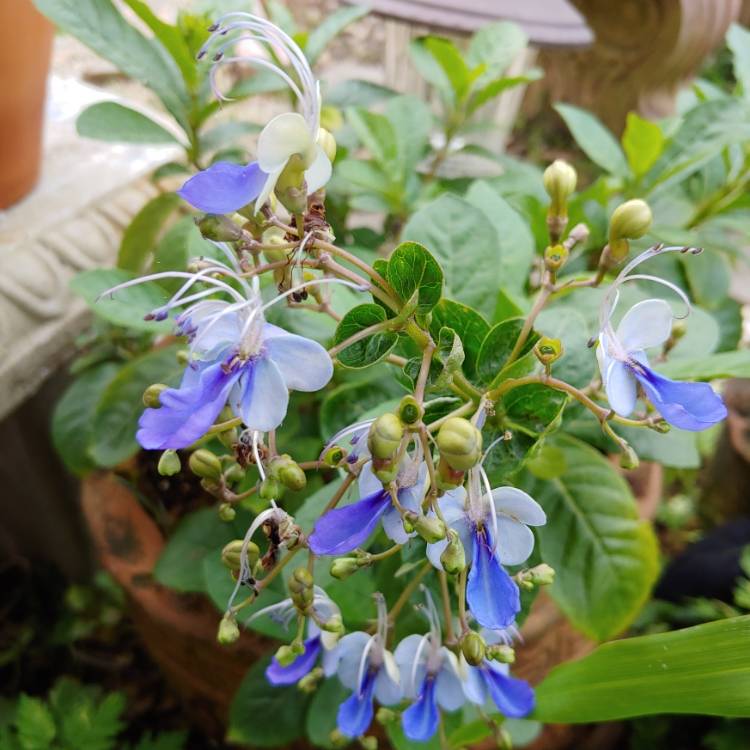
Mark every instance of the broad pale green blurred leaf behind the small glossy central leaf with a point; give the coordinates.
(465, 245)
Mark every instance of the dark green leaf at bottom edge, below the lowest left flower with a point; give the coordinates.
(263, 715)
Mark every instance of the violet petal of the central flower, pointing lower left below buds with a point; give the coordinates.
(344, 529)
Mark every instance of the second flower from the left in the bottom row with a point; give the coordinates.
(369, 670)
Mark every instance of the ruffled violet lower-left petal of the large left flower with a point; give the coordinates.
(187, 412)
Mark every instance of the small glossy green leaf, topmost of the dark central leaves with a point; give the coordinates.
(412, 268)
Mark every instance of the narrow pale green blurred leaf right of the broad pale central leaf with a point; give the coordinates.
(514, 239)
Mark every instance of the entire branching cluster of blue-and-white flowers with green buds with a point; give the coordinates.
(421, 481)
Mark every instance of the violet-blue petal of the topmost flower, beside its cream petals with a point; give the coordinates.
(223, 187)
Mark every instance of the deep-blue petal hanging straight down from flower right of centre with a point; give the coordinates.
(491, 593)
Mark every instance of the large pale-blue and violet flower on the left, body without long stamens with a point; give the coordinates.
(238, 359)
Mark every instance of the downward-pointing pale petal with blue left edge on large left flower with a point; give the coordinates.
(264, 396)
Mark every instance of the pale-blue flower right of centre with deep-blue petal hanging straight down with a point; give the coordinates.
(494, 530)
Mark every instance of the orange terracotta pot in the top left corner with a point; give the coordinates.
(25, 47)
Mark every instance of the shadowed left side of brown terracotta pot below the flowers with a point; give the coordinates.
(178, 630)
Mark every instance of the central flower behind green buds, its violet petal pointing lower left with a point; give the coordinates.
(343, 529)
